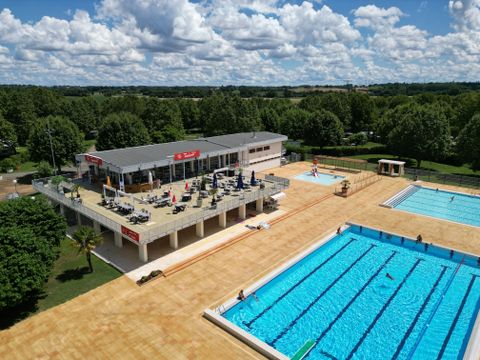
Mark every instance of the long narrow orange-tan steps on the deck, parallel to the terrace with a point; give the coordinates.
(184, 264)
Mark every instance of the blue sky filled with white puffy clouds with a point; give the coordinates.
(238, 42)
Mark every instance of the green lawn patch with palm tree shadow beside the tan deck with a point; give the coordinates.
(69, 278)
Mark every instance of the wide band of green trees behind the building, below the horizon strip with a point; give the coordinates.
(30, 114)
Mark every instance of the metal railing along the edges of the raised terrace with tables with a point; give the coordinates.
(276, 185)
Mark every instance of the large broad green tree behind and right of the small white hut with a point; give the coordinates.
(420, 132)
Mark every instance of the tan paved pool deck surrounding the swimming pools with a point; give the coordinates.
(163, 319)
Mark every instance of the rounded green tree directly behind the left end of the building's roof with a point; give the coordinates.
(121, 130)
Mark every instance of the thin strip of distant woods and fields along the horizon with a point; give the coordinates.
(453, 88)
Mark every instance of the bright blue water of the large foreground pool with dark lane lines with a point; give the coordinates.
(340, 297)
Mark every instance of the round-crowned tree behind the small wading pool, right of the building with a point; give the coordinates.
(323, 128)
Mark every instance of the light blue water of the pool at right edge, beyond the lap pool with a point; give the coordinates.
(425, 201)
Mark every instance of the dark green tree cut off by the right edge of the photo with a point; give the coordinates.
(468, 142)
